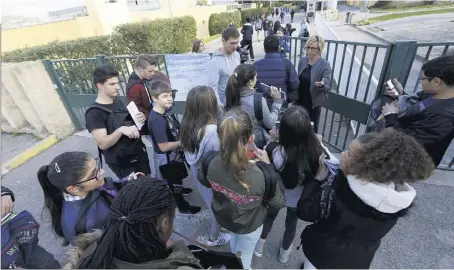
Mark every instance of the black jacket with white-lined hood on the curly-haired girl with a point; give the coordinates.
(349, 237)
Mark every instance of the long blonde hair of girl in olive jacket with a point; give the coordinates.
(234, 132)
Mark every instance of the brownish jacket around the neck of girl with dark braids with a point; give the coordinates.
(180, 258)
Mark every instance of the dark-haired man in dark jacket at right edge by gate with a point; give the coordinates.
(433, 127)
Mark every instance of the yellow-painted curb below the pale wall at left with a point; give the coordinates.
(28, 154)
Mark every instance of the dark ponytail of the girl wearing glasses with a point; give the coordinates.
(53, 199)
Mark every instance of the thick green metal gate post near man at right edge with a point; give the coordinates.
(402, 56)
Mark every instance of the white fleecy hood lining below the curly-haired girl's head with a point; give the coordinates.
(386, 198)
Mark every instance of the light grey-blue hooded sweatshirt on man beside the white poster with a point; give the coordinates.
(221, 67)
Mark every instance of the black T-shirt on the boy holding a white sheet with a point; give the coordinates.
(126, 151)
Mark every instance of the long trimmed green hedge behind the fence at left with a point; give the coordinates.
(173, 35)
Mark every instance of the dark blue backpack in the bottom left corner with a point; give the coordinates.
(19, 239)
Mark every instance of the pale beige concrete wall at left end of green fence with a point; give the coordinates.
(30, 103)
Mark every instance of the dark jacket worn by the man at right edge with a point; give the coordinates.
(433, 127)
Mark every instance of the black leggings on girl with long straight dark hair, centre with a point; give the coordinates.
(291, 220)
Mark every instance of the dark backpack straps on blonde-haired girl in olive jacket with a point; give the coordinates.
(269, 174)
